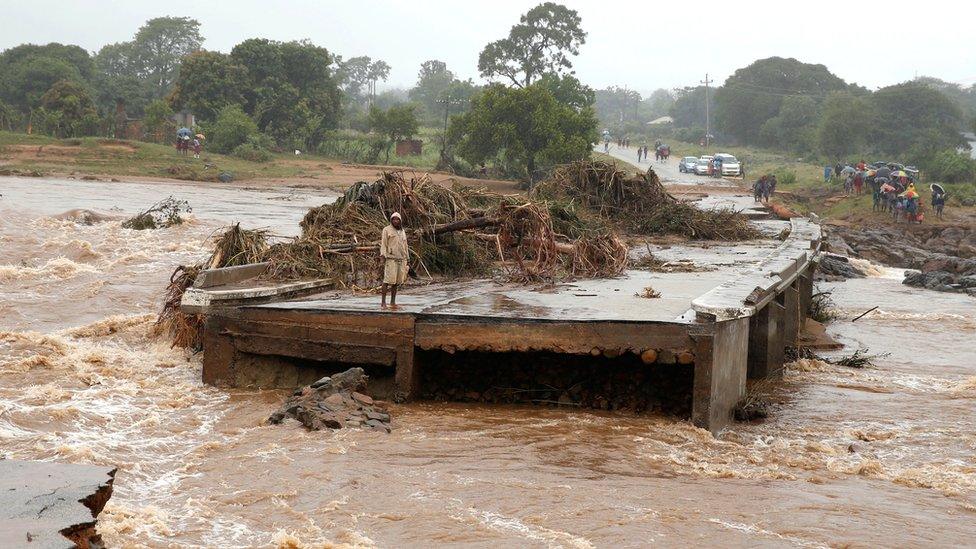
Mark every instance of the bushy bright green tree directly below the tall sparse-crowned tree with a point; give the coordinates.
(525, 128)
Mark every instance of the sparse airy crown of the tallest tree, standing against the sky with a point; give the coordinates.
(542, 42)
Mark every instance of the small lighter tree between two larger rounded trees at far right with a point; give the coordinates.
(844, 126)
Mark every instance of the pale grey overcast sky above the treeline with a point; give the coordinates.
(637, 44)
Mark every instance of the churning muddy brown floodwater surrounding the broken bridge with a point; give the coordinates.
(877, 456)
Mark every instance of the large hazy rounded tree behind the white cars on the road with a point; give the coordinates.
(754, 94)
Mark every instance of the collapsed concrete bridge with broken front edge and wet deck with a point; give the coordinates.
(713, 329)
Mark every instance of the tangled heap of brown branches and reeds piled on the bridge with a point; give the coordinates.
(569, 226)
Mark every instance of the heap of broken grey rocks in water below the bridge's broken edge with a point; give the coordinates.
(335, 402)
